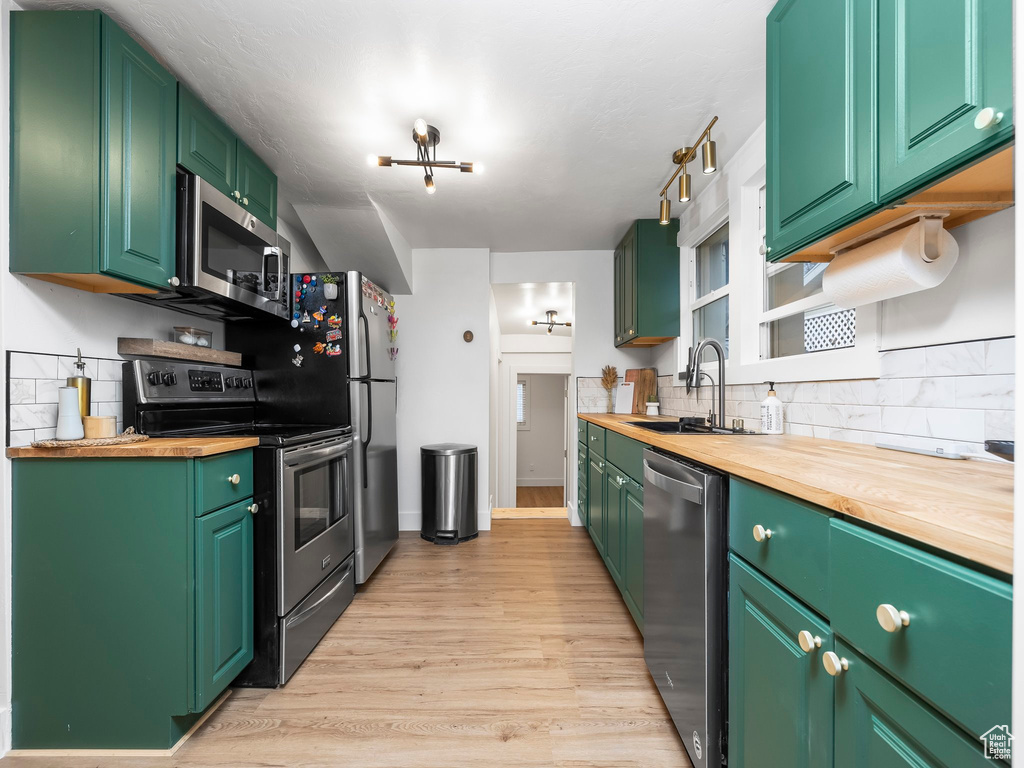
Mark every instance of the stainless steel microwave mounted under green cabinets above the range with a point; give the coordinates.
(229, 265)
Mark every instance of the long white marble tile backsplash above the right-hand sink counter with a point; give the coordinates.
(954, 396)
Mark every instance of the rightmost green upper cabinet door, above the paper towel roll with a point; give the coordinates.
(941, 63)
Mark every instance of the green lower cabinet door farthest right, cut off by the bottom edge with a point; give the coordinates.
(880, 726)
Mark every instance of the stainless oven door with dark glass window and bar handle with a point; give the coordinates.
(315, 517)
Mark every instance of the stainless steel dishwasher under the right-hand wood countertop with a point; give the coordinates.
(685, 539)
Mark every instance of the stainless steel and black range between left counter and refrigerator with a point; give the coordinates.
(304, 531)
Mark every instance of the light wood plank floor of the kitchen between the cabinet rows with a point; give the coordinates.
(514, 650)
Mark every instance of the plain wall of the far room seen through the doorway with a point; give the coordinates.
(540, 457)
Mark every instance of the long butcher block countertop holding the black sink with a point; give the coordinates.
(962, 507)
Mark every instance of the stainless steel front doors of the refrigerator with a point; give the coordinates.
(373, 398)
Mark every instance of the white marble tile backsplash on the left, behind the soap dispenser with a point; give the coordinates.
(33, 379)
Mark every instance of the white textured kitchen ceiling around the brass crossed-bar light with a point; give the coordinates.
(574, 107)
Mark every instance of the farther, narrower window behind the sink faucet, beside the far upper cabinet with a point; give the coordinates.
(710, 291)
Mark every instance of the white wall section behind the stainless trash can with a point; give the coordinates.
(444, 389)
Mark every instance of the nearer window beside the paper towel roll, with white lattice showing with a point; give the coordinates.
(796, 318)
